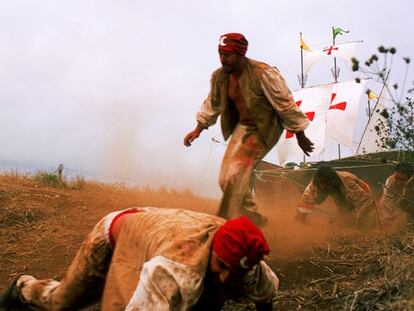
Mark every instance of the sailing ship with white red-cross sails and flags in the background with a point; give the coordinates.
(334, 111)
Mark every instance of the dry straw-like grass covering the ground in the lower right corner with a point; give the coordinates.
(357, 272)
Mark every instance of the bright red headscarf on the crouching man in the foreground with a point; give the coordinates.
(240, 243)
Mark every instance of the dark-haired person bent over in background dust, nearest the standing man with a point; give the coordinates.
(351, 194)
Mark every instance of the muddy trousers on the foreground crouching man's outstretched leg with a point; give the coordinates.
(84, 280)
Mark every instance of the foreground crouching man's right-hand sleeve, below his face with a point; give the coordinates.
(261, 284)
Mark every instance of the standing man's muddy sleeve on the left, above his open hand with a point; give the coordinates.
(209, 111)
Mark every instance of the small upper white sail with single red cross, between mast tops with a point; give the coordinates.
(344, 51)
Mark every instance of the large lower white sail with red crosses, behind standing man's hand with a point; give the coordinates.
(331, 110)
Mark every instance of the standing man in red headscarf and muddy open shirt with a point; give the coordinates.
(255, 106)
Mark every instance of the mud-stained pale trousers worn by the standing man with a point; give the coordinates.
(244, 151)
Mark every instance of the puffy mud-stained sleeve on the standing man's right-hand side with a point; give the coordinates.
(281, 99)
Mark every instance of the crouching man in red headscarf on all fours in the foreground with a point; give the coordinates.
(157, 259)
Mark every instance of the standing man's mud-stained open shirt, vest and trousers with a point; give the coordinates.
(271, 109)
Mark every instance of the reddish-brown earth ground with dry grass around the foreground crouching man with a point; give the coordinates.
(321, 264)
